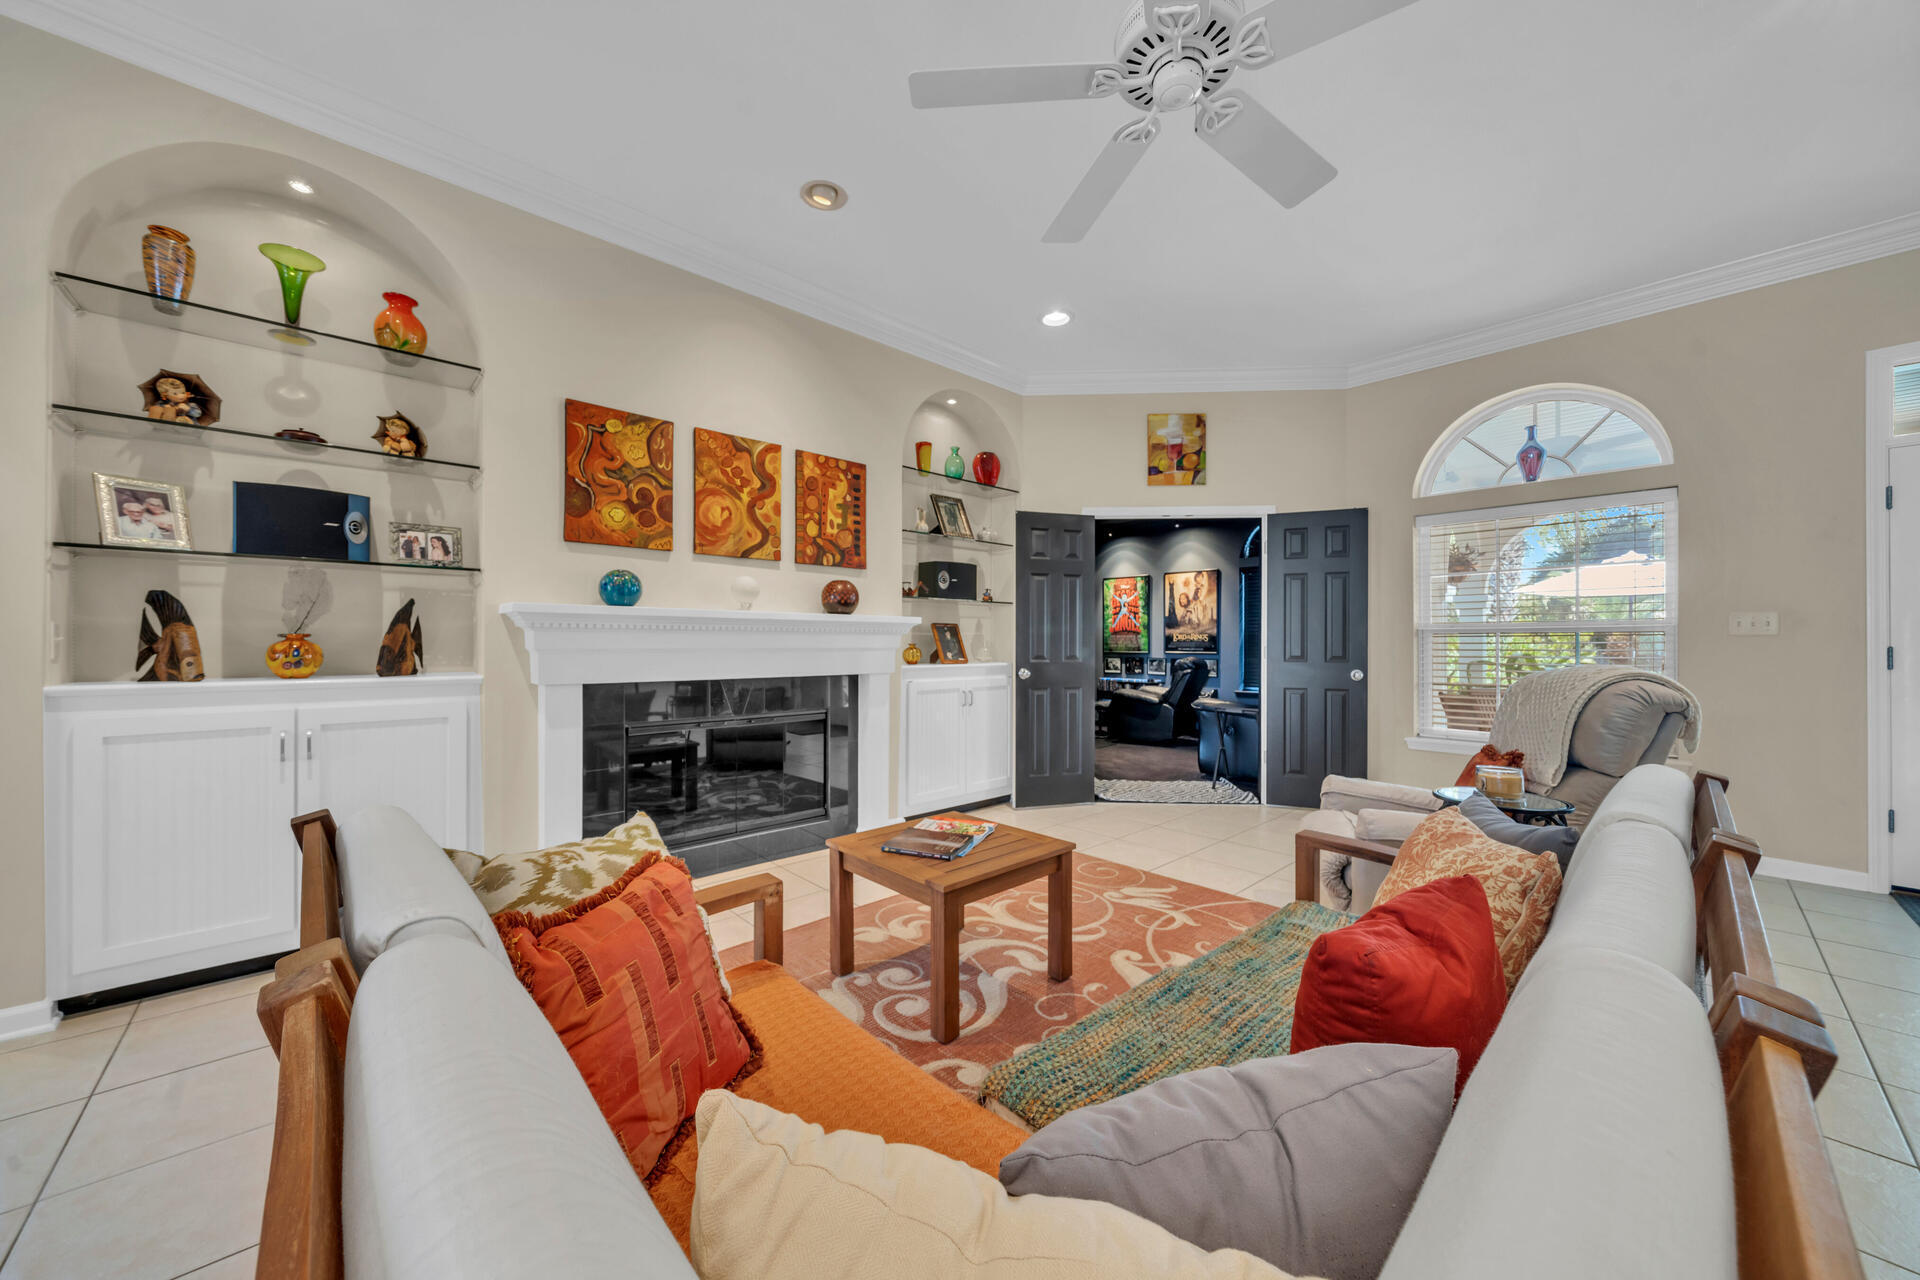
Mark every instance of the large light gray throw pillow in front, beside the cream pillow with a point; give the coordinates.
(1310, 1162)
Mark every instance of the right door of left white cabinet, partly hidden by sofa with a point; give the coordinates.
(410, 755)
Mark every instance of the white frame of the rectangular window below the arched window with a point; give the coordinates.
(1462, 742)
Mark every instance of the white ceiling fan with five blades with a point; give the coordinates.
(1176, 55)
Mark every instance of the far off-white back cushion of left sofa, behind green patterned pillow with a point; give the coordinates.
(395, 878)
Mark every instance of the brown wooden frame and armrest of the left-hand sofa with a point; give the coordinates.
(306, 1012)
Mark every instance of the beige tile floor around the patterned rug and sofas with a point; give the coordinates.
(135, 1141)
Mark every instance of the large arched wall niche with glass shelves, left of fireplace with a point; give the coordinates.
(108, 339)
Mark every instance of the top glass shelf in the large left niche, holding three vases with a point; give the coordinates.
(254, 331)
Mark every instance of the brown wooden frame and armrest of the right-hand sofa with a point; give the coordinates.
(1775, 1053)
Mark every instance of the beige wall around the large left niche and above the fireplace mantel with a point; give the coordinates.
(556, 314)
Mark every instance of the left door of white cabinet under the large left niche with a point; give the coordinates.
(180, 841)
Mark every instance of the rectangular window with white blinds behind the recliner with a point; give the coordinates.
(1518, 590)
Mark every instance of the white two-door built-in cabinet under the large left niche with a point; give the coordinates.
(168, 807)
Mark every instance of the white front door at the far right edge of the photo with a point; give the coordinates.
(1904, 615)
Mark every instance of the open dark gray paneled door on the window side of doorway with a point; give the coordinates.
(1318, 669)
